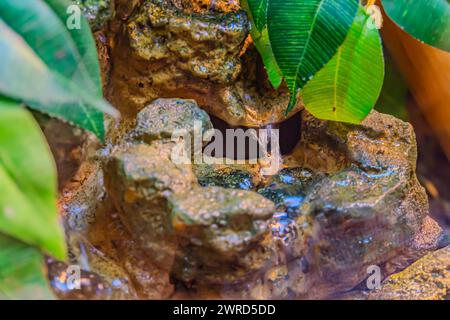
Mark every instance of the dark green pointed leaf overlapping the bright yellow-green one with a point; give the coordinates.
(305, 35)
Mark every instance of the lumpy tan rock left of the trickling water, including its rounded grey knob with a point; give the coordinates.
(208, 235)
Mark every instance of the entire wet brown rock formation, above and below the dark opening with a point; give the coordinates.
(347, 198)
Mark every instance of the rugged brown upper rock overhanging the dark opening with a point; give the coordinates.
(162, 50)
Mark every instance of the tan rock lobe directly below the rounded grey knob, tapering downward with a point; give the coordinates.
(140, 178)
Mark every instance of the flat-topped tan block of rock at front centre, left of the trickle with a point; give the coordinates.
(222, 234)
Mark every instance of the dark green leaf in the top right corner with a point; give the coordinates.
(426, 20)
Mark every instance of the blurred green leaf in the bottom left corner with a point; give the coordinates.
(22, 272)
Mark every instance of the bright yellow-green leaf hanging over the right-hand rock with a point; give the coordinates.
(347, 88)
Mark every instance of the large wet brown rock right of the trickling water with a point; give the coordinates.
(369, 209)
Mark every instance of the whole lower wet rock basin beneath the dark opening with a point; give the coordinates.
(309, 231)
